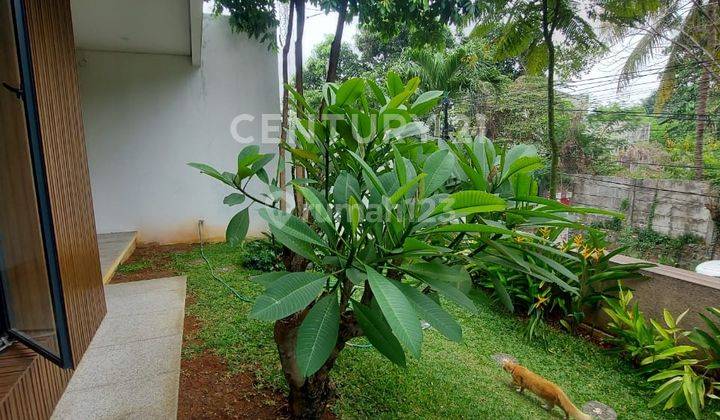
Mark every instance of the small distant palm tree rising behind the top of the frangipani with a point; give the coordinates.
(440, 70)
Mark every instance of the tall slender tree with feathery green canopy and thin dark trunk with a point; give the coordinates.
(527, 29)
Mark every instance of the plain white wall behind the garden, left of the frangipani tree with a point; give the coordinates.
(147, 115)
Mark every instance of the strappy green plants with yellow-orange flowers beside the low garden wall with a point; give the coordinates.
(555, 280)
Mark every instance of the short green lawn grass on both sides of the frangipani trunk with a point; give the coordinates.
(452, 380)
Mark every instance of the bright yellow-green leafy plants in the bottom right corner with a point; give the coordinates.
(662, 354)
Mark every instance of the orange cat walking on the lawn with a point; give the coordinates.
(548, 391)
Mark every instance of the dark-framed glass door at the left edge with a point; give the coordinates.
(31, 304)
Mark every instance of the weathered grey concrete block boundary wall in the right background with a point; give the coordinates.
(679, 205)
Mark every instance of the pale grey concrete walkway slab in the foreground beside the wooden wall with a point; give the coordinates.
(132, 368)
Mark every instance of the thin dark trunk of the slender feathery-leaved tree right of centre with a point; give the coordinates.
(547, 36)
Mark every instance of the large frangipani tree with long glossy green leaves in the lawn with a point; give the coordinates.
(366, 264)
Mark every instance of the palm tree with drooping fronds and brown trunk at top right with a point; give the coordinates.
(689, 35)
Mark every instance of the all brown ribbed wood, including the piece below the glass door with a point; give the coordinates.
(34, 391)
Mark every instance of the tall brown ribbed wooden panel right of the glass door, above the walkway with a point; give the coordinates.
(53, 54)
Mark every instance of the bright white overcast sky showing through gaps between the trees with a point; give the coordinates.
(599, 81)
